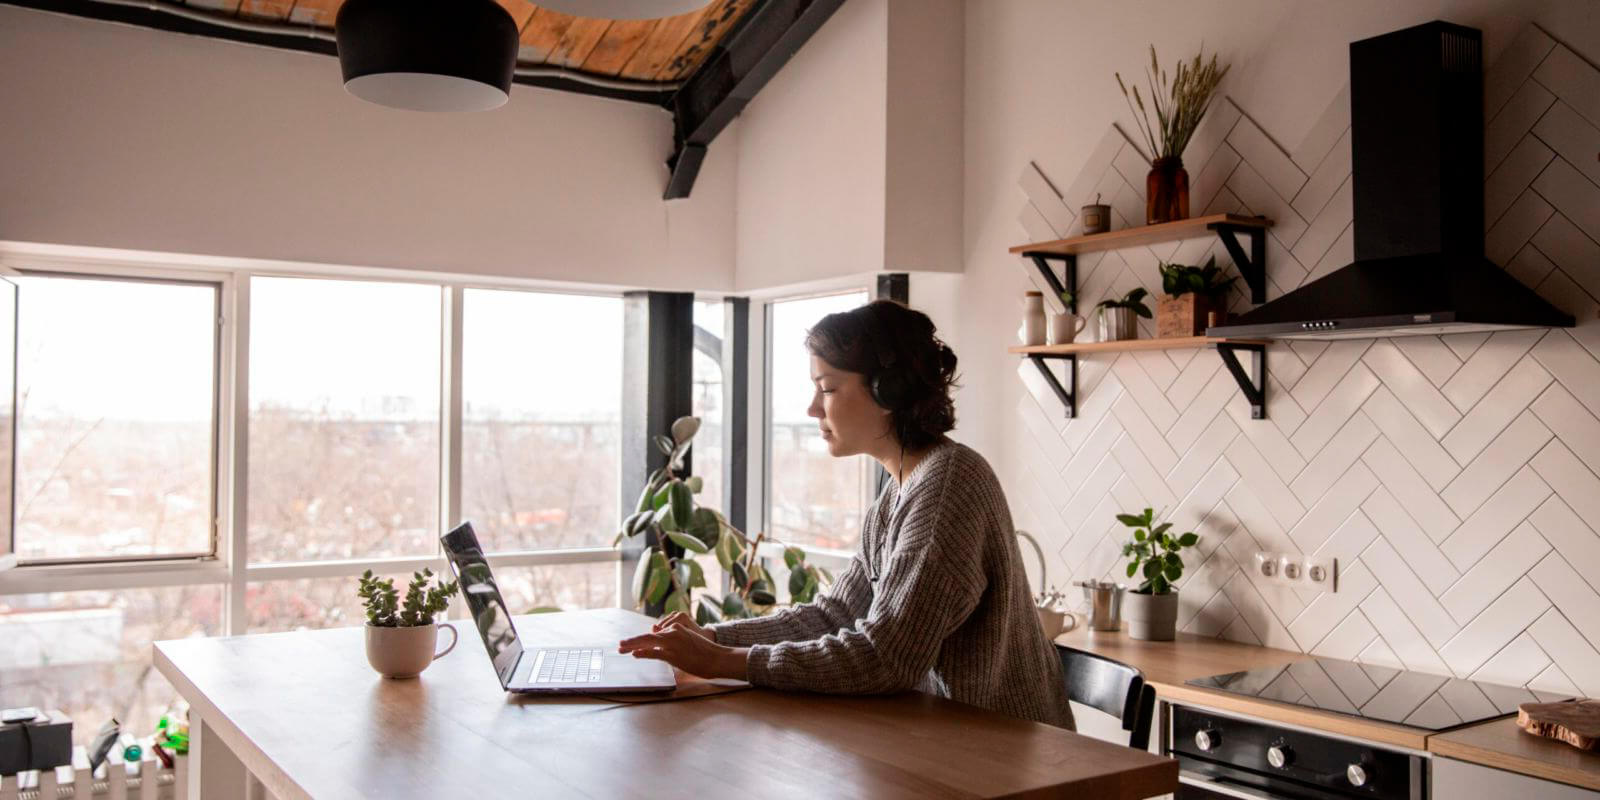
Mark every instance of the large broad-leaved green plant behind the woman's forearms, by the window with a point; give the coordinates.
(678, 529)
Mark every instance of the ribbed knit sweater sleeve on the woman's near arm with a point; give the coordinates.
(932, 583)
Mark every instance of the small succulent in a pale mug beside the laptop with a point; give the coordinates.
(402, 636)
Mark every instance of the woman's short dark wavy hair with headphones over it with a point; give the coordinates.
(906, 367)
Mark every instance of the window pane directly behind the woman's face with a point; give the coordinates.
(815, 500)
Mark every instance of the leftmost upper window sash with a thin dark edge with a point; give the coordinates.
(118, 394)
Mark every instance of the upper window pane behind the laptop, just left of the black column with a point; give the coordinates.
(542, 418)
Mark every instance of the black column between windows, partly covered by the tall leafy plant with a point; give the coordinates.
(658, 356)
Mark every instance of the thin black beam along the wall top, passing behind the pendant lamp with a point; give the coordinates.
(302, 41)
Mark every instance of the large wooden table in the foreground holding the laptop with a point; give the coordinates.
(306, 718)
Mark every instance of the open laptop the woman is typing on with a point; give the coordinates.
(582, 670)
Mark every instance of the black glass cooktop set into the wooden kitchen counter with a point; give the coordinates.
(1433, 703)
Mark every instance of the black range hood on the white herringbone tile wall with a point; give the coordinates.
(1417, 137)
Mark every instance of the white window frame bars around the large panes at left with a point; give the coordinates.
(230, 567)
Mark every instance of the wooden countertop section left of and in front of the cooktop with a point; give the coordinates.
(1170, 665)
